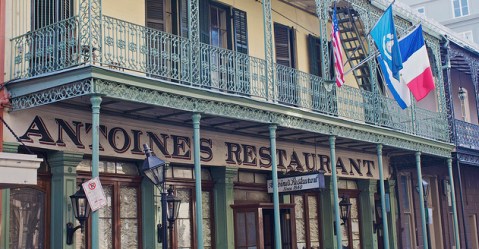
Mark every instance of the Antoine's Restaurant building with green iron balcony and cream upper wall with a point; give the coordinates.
(229, 93)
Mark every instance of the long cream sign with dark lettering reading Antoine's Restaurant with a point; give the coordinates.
(57, 130)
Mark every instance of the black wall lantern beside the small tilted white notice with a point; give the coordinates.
(81, 209)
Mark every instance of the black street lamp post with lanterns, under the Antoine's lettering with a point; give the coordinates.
(155, 169)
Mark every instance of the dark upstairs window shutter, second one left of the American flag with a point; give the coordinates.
(282, 43)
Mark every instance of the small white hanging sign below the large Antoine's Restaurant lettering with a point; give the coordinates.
(298, 183)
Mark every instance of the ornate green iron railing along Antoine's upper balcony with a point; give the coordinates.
(137, 49)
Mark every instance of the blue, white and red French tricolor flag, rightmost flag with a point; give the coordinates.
(416, 72)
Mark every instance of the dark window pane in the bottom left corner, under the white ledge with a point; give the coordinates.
(27, 220)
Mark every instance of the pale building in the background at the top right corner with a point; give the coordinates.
(461, 16)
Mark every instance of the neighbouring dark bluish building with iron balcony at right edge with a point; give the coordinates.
(462, 75)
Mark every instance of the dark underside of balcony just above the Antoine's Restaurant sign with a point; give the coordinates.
(139, 111)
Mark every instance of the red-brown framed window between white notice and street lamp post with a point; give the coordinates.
(119, 221)
